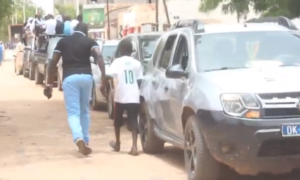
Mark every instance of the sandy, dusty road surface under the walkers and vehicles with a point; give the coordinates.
(36, 142)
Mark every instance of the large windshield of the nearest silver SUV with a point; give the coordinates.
(233, 50)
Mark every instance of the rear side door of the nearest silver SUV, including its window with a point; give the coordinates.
(159, 82)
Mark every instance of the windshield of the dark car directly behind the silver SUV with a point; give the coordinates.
(148, 46)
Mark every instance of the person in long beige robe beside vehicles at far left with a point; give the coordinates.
(18, 61)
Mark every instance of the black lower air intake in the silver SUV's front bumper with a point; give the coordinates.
(283, 147)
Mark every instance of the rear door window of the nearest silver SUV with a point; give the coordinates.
(167, 52)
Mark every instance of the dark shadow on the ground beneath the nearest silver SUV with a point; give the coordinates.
(174, 157)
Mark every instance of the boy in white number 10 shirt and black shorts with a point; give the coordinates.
(127, 74)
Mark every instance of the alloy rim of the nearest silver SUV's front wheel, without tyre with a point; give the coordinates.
(190, 151)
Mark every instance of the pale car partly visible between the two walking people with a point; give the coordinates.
(108, 50)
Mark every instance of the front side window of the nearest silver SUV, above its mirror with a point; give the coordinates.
(181, 55)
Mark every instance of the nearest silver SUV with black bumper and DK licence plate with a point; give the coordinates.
(225, 94)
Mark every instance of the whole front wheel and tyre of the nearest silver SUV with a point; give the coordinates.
(205, 167)
